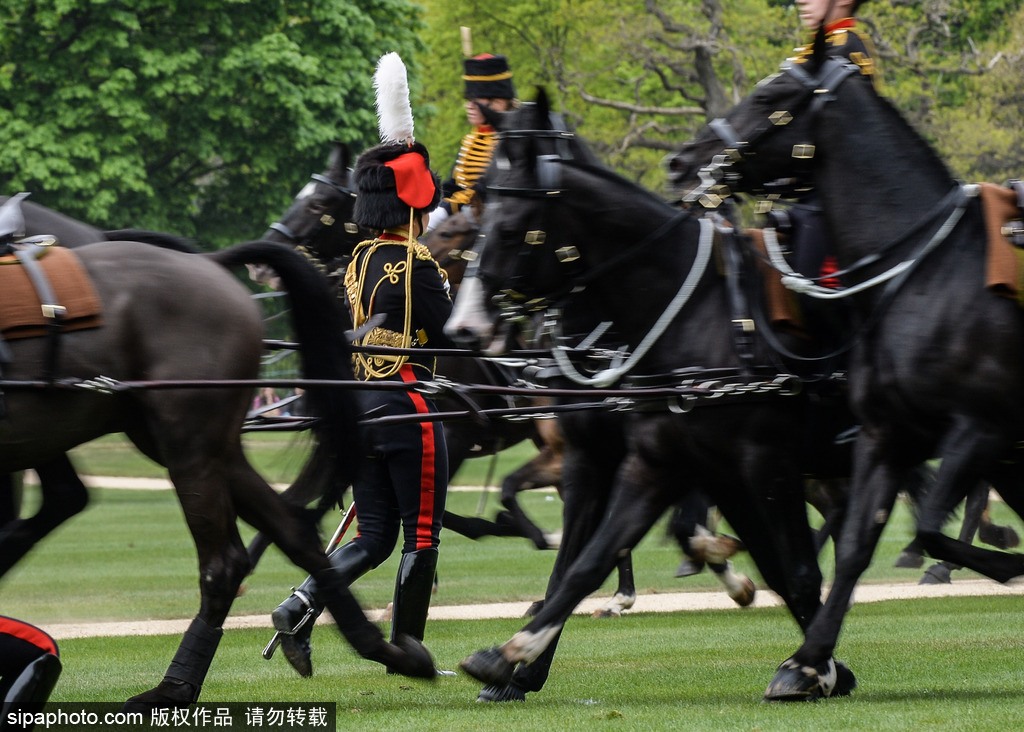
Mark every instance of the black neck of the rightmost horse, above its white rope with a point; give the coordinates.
(877, 182)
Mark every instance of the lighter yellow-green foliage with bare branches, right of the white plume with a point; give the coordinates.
(638, 78)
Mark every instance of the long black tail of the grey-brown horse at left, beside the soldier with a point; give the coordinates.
(320, 322)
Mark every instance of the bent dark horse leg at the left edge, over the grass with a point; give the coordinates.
(64, 496)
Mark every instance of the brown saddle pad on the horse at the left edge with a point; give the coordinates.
(21, 308)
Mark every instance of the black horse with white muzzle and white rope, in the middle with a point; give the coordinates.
(608, 257)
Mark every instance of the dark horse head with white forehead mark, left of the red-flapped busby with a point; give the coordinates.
(319, 223)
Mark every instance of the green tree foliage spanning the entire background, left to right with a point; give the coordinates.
(203, 117)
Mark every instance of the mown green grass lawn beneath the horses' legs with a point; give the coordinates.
(923, 665)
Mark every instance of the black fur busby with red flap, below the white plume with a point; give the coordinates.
(392, 179)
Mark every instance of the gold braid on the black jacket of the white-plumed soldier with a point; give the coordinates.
(374, 366)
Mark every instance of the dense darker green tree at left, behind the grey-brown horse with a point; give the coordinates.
(200, 117)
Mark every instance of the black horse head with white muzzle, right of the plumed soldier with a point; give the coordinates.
(523, 254)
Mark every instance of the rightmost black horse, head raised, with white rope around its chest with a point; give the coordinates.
(936, 368)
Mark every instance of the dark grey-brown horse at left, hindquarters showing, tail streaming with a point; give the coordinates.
(170, 317)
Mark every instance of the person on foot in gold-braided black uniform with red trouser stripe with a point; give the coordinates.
(405, 484)
